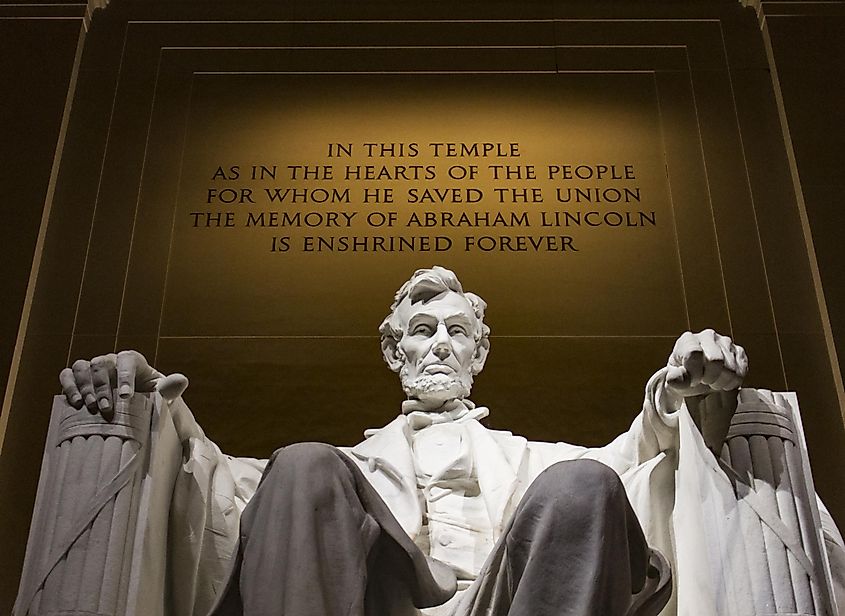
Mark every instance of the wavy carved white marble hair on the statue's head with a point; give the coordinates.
(424, 285)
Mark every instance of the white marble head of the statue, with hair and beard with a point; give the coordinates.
(435, 337)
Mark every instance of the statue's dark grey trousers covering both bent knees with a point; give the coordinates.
(317, 540)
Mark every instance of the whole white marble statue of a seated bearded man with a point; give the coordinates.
(434, 511)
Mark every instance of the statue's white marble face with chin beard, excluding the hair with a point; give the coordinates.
(439, 347)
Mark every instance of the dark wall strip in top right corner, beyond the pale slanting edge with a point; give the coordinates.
(806, 44)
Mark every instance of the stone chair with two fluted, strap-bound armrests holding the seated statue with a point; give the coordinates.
(98, 540)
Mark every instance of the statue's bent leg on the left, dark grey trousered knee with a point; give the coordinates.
(317, 540)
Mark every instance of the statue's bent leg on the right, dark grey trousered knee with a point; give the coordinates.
(574, 547)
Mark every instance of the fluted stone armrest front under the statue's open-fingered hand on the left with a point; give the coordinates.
(97, 543)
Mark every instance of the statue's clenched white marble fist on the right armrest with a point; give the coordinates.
(705, 363)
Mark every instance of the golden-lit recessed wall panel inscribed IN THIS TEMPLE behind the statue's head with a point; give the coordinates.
(297, 190)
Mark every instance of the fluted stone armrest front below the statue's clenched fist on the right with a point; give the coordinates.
(765, 456)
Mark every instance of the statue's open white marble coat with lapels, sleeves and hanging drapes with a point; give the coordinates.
(683, 499)
